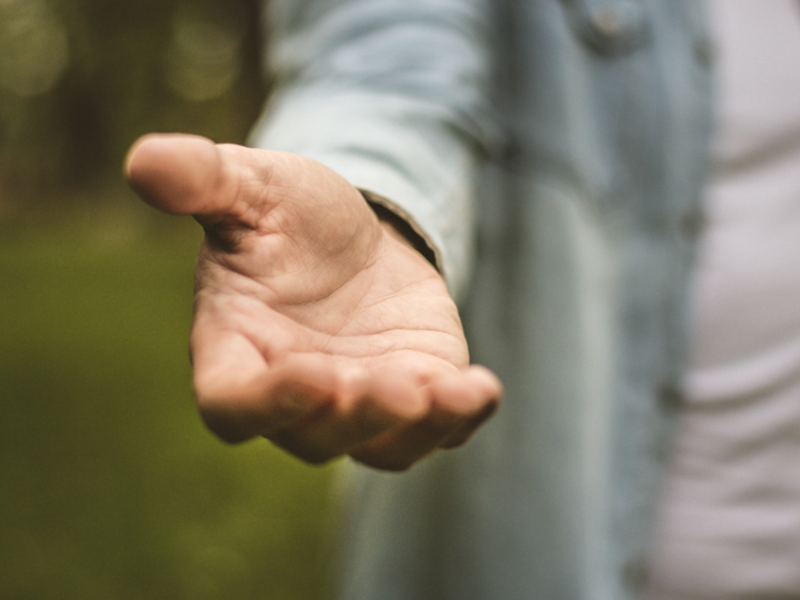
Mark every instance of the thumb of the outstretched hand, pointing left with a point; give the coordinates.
(183, 174)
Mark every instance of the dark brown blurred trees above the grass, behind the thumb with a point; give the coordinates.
(81, 79)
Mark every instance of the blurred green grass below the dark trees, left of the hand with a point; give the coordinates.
(111, 487)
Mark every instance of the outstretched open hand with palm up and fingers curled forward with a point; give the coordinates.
(316, 326)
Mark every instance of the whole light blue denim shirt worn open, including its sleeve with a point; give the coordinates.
(552, 153)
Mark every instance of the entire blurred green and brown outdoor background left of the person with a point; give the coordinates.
(109, 485)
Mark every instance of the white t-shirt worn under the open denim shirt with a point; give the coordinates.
(729, 526)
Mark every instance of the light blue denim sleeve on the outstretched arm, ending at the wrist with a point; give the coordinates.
(393, 95)
